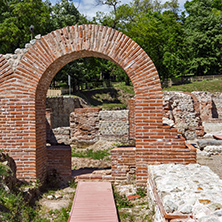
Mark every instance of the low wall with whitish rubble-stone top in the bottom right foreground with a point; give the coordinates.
(185, 193)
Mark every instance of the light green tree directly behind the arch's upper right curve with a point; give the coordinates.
(159, 32)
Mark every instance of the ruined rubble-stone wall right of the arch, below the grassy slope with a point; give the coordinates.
(194, 113)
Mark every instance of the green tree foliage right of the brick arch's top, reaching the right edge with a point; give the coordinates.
(177, 45)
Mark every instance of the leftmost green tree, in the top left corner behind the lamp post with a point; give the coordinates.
(15, 20)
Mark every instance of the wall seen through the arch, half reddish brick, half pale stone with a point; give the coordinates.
(88, 125)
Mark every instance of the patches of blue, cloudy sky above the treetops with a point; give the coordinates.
(89, 7)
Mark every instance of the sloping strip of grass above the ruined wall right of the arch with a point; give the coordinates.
(207, 86)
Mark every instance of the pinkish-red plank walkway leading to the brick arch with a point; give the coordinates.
(93, 201)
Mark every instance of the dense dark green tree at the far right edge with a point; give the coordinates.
(204, 37)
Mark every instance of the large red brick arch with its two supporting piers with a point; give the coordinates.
(24, 83)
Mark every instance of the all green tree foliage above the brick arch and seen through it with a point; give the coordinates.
(179, 43)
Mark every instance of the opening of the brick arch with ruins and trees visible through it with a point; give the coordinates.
(87, 109)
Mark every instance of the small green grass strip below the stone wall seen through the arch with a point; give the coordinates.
(89, 153)
